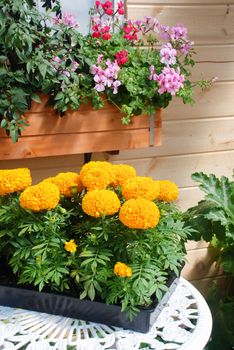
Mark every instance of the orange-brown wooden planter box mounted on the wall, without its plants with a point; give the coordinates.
(82, 131)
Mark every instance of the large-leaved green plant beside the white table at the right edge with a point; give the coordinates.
(213, 220)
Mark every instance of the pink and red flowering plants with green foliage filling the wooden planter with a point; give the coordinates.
(44, 53)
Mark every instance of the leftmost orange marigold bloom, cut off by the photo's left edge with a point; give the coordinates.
(14, 180)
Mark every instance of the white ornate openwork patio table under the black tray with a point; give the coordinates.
(184, 323)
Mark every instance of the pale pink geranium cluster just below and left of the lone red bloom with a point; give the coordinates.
(107, 77)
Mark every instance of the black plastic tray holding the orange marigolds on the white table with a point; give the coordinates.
(95, 311)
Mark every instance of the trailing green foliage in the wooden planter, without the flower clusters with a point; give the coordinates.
(29, 42)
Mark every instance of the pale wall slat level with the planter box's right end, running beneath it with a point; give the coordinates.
(187, 137)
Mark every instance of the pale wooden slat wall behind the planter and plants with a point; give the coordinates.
(198, 138)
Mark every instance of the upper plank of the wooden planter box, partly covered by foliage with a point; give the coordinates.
(45, 121)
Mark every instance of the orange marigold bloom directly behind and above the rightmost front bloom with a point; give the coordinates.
(140, 187)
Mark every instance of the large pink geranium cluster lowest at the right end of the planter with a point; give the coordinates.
(169, 80)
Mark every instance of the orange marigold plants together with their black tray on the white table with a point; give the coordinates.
(104, 235)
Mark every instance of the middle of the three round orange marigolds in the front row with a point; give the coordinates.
(98, 202)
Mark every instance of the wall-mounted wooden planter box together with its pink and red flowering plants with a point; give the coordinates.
(45, 61)
